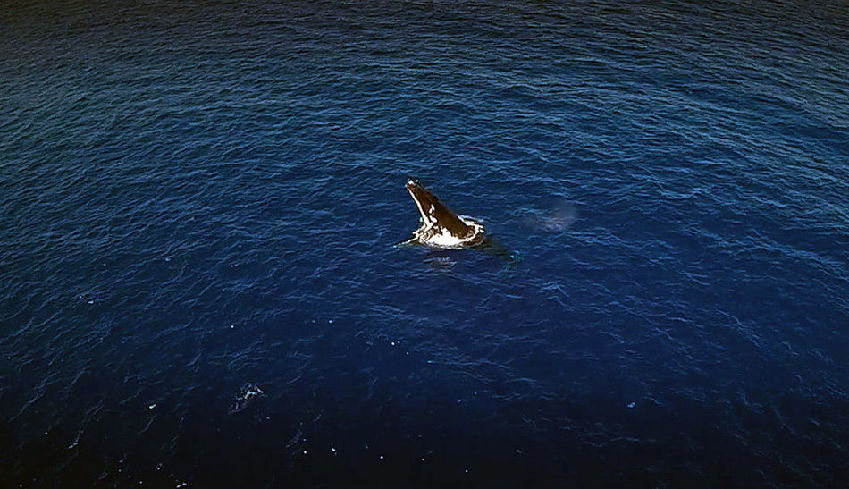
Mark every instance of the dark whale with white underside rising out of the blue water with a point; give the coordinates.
(441, 228)
